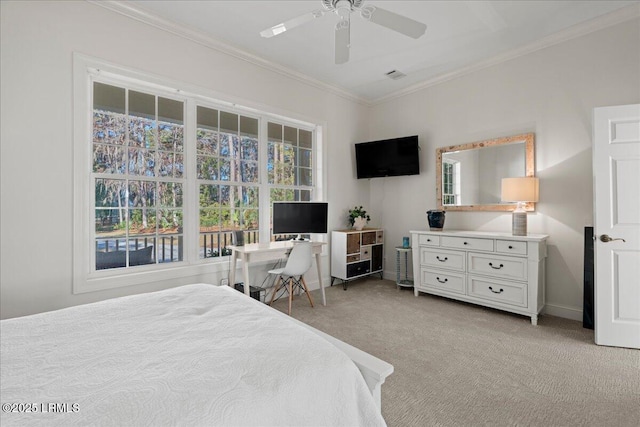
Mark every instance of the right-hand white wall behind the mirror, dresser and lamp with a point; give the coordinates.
(551, 92)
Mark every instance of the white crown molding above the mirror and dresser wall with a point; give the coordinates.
(617, 17)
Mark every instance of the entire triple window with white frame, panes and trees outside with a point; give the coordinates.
(164, 177)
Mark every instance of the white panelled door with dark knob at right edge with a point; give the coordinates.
(616, 168)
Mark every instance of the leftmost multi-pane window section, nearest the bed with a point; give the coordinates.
(138, 170)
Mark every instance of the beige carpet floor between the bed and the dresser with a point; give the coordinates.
(458, 364)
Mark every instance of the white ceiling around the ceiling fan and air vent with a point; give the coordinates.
(460, 35)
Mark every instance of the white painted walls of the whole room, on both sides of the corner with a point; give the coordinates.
(550, 92)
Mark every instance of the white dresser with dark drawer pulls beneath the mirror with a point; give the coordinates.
(496, 270)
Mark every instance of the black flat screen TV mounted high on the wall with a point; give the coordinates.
(388, 157)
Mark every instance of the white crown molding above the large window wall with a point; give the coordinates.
(146, 17)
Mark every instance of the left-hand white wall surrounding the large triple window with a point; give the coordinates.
(38, 42)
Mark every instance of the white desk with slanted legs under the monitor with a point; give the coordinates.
(255, 252)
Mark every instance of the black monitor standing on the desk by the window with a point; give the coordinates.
(300, 217)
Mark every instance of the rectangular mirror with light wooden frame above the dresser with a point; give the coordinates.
(469, 176)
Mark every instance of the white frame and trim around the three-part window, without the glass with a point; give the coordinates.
(86, 70)
